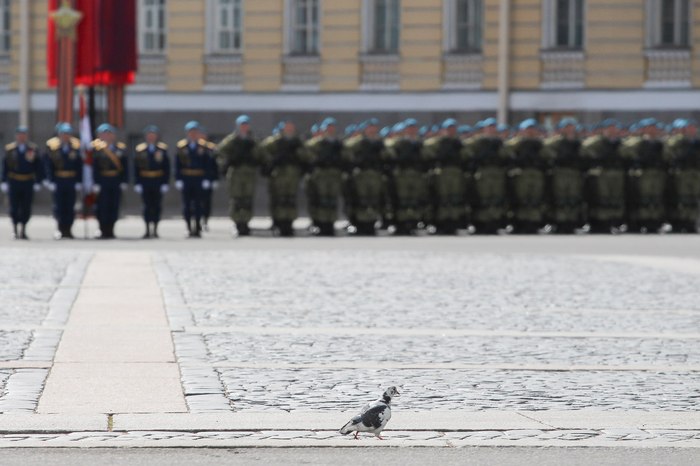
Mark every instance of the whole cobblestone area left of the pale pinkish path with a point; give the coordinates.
(36, 293)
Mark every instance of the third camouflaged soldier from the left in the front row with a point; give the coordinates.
(324, 181)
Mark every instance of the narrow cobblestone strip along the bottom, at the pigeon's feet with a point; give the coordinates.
(631, 438)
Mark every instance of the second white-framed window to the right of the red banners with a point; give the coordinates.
(226, 19)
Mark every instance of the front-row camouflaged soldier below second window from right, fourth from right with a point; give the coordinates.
(565, 177)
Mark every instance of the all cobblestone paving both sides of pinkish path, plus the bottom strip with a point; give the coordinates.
(324, 329)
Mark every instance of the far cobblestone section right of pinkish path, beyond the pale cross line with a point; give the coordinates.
(414, 290)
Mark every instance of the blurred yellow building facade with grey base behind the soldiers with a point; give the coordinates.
(427, 59)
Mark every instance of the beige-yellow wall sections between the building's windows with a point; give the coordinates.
(614, 51)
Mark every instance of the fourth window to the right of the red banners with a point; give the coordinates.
(382, 21)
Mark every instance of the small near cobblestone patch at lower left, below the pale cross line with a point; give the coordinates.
(22, 391)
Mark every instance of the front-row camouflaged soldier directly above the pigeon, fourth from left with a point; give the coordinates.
(366, 184)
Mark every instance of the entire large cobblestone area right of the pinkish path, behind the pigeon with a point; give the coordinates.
(326, 330)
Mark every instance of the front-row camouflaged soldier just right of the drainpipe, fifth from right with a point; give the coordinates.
(527, 178)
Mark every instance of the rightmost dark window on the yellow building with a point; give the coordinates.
(669, 23)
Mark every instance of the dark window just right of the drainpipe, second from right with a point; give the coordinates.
(564, 23)
